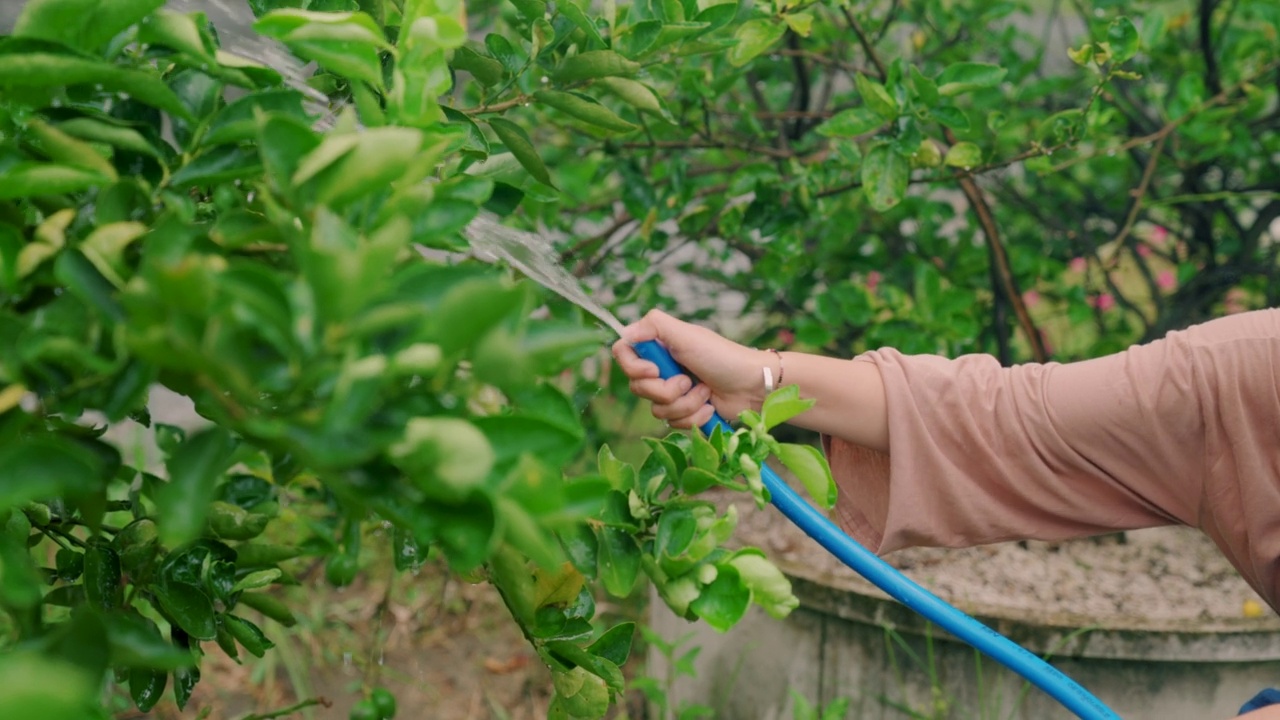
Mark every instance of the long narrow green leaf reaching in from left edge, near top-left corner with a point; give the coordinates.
(45, 70)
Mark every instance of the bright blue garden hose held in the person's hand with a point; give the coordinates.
(898, 586)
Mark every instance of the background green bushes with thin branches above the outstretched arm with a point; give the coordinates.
(1031, 180)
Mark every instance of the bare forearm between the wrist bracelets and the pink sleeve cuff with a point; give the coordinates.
(851, 398)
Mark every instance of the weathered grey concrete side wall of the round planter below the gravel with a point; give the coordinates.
(836, 645)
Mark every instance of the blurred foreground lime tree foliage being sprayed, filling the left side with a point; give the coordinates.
(173, 215)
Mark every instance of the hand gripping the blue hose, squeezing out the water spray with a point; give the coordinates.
(730, 375)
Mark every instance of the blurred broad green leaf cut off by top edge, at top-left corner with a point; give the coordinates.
(84, 25)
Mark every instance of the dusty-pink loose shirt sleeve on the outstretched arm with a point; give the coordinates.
(1181, 431)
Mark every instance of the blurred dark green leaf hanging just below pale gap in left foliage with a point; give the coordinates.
(194, 468)
